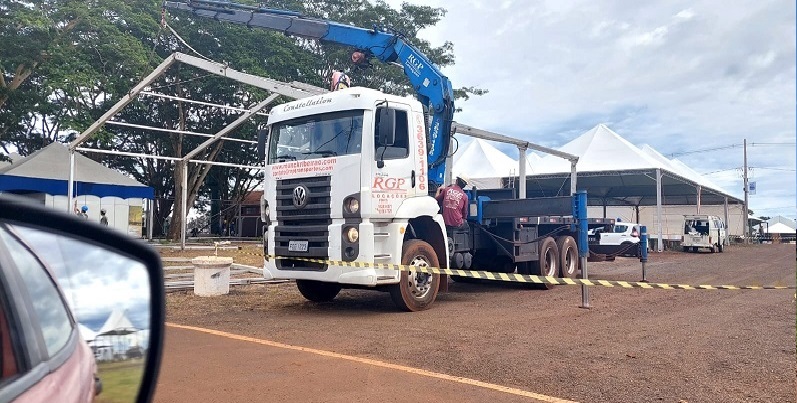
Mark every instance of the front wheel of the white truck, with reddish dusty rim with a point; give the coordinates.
(416, 291)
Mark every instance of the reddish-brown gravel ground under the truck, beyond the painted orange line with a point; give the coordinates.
(633, 345)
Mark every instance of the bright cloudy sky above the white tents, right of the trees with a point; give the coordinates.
(678, 75)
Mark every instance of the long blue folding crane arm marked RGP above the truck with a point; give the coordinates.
(433, 88)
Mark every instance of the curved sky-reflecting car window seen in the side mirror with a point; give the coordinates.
(50, 309)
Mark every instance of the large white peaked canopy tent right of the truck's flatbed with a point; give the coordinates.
(614, 172)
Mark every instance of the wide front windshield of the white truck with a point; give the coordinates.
(317, 136)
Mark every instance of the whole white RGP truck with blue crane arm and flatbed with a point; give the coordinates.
(349, 178)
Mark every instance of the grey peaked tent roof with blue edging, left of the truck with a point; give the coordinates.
(47, 171)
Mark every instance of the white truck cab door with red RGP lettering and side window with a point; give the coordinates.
(393, 166)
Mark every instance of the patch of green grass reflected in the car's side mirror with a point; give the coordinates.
(120, 381)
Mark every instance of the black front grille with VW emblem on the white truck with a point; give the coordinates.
(310, 223)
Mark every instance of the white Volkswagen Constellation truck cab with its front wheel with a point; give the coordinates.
(346, 182)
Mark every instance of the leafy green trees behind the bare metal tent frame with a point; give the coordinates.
(65, 62)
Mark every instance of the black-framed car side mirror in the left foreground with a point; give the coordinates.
(76, 298)
